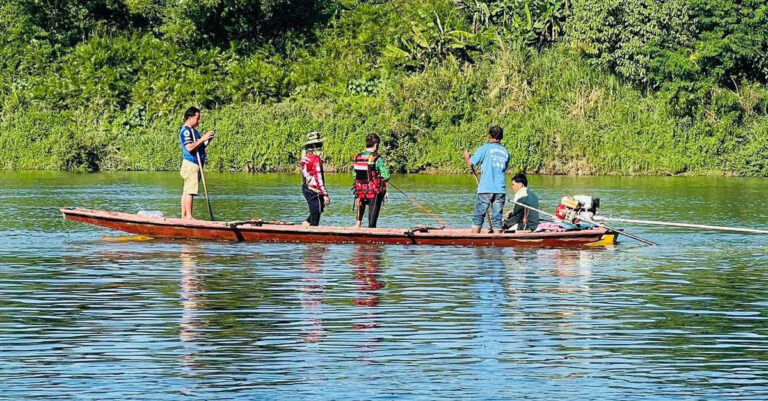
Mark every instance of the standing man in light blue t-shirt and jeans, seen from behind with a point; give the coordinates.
(492, 189)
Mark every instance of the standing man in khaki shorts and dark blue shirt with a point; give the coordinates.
(193, 156)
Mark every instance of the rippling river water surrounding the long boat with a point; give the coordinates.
(86, 313)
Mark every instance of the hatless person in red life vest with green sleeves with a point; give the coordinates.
(371, 176)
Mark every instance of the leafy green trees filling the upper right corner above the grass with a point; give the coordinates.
(689, 49)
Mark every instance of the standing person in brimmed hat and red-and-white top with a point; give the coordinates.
(313, 179)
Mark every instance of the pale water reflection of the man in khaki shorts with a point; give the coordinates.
(192, 286)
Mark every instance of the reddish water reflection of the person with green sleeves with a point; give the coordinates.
(367, 261)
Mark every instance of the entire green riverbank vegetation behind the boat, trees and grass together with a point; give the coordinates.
(582, 86)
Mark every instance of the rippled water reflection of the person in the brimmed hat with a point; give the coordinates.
(313, 291)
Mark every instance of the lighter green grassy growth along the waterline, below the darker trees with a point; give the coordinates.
(560, 116)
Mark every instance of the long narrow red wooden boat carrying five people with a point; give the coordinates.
(261, 231)
